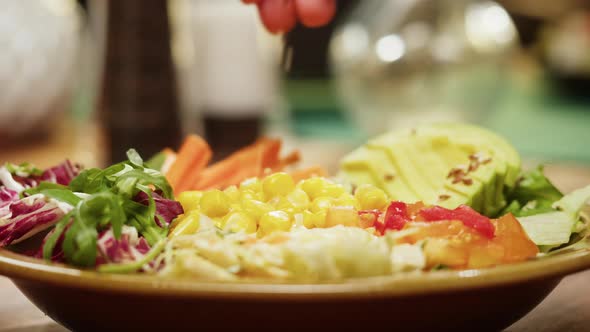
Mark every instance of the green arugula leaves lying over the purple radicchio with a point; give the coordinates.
(110, 202)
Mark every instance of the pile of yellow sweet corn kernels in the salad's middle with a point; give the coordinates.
(276, 203)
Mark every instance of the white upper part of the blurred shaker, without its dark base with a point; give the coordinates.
(233, 74)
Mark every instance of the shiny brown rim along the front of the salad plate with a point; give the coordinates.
(17, 266)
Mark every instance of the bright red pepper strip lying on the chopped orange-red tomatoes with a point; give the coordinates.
(463, 213)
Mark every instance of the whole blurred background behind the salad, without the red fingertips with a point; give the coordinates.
(87, 80)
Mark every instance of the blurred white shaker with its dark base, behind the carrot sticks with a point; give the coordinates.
(235, 81)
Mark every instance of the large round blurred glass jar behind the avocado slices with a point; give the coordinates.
(398, 63)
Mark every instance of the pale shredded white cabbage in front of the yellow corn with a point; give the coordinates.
(303, 254)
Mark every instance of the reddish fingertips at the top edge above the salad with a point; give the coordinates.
(280, 16)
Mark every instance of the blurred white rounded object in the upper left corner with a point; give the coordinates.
(39, 42)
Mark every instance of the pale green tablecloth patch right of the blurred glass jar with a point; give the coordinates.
(543, 124)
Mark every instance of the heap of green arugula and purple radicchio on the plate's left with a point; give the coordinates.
(125, 197)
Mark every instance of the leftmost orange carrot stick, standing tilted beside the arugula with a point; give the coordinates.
(192, 157)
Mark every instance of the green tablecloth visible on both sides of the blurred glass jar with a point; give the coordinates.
(541, 123)
